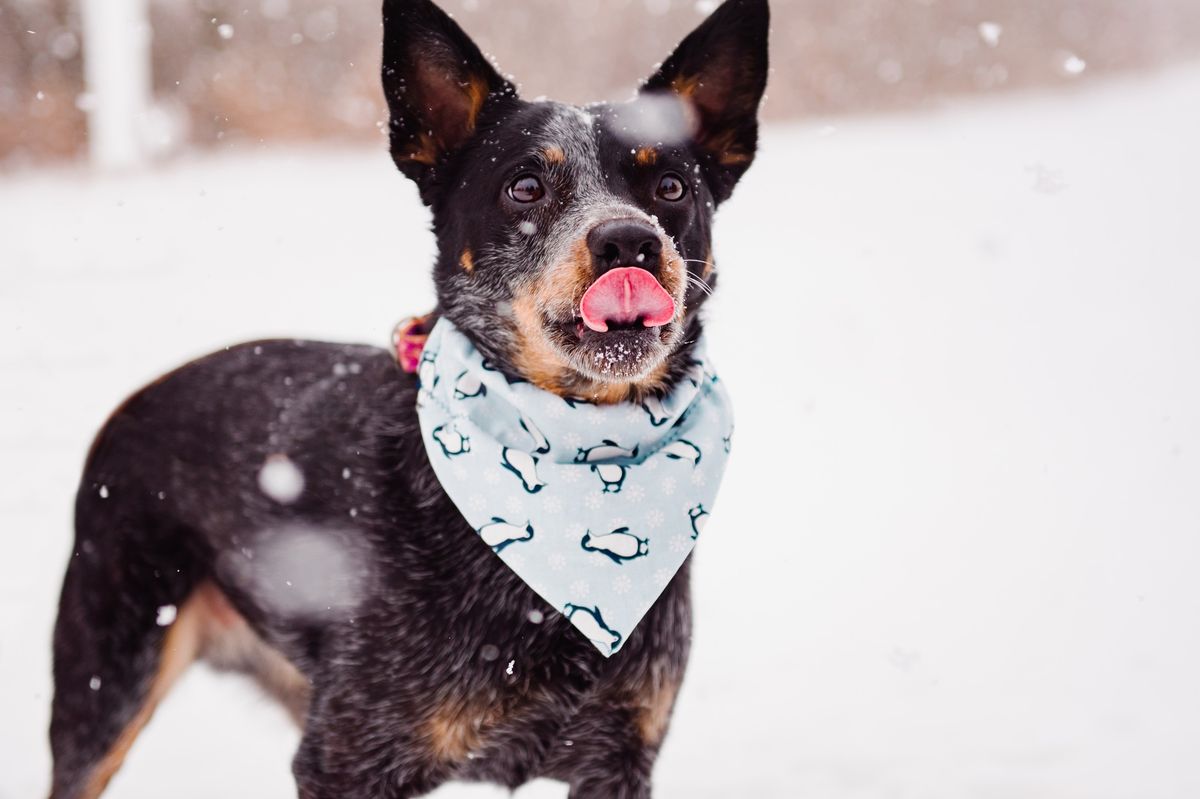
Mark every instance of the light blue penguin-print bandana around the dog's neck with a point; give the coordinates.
(595, 507)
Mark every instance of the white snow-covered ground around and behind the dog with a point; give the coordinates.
(958, 550)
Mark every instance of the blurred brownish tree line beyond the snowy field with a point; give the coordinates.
(231, 71)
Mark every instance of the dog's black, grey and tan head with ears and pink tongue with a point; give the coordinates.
(575, 243)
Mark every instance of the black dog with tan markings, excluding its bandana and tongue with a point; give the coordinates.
(362, 599)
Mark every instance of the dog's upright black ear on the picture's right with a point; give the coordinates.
(721, 73)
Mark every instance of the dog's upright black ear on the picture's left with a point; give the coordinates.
(437, 83)
